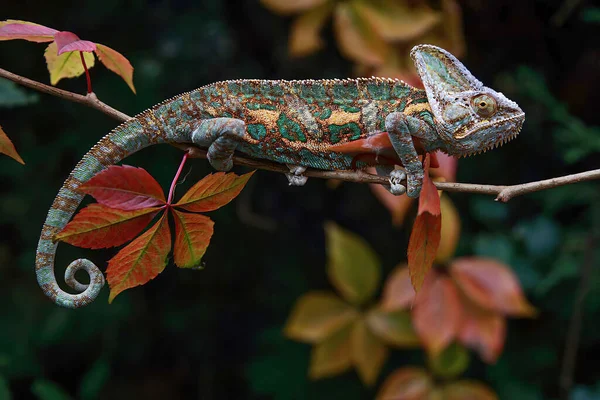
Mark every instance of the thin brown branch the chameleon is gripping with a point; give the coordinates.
(502, 193)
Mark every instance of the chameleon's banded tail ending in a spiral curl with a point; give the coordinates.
(133, 135)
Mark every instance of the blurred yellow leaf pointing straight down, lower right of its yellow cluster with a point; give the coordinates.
(368, 352)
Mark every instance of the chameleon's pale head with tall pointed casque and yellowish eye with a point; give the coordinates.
(470, 117)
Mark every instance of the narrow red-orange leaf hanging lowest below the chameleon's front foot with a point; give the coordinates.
(422, 246)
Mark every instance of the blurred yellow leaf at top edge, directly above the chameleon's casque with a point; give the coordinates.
(397, 21)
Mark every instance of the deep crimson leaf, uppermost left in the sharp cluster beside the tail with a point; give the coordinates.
(125, 187)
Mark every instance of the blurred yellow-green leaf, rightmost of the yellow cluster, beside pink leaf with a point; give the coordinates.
(394, 327)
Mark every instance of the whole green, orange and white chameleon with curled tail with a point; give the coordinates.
(324, 124)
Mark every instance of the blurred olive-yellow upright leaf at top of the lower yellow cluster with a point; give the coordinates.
(353, 267)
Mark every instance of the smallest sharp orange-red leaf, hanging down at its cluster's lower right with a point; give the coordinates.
(192, 235)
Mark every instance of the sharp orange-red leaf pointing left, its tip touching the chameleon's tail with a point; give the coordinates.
(98, 226)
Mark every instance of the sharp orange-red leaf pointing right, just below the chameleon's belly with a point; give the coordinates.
(213, 192)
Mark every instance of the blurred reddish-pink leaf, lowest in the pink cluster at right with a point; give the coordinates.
(483, 331)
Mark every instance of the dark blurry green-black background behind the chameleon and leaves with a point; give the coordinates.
(215, 334)
